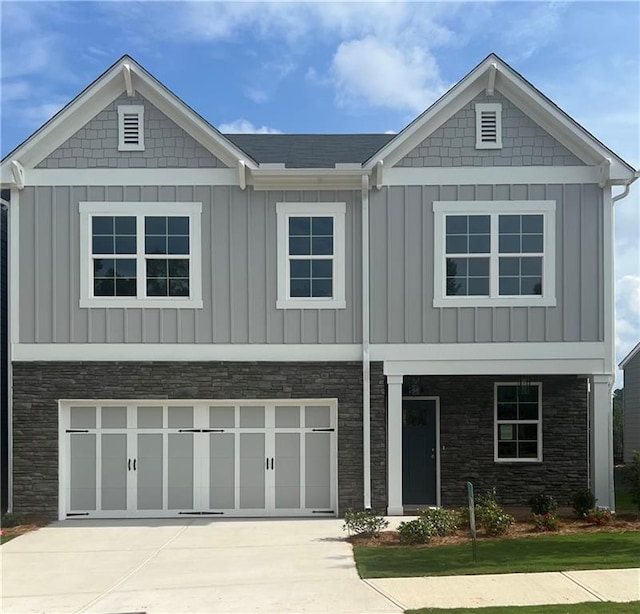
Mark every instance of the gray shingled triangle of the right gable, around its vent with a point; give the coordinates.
(524, 142)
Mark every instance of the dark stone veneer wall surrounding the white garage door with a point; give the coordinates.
(37, 386)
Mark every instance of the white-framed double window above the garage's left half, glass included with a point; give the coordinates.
(140, 255)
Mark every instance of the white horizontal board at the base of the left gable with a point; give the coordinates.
(133, 176)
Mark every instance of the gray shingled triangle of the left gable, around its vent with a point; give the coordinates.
(166, 145)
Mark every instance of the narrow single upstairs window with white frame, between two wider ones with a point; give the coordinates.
(311, 261)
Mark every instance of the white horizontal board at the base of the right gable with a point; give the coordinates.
(490, 175)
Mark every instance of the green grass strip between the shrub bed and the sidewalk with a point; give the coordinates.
(553, 553)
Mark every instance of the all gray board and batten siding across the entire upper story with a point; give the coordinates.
(239, 271)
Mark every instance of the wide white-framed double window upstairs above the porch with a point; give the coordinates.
(494, 253)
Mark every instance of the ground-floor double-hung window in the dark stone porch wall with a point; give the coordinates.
(518, 422)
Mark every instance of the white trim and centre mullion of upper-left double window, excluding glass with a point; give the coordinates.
(140, 210)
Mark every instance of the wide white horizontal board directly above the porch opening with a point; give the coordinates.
(483, 352)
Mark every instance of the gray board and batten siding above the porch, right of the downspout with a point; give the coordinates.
(402, 270)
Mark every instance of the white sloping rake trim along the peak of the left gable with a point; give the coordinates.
(101, 93)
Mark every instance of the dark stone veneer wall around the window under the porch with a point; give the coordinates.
(467, 435)
